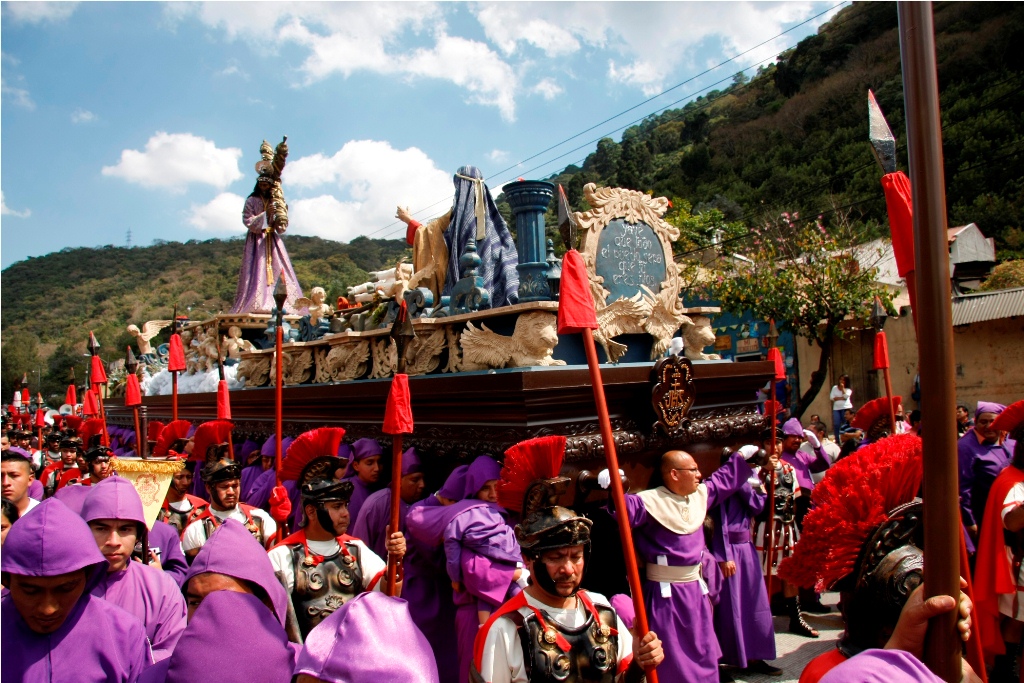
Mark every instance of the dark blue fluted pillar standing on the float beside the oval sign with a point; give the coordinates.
(530, 200)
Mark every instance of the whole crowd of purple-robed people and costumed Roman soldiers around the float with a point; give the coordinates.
(253, 574)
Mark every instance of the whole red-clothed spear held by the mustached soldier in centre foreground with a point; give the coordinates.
(577, 315)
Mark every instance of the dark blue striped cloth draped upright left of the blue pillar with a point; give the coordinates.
(497, 250)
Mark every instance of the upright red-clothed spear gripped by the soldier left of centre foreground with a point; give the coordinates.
(398, 421)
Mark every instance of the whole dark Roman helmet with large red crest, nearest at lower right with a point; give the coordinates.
(865, 537)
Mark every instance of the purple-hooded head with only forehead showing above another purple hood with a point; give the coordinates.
(233, 560)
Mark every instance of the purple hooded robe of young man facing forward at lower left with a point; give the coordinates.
(139, 589)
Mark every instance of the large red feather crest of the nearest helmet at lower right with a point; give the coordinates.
(857, 496)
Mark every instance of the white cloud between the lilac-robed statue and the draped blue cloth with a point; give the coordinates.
(372, 178)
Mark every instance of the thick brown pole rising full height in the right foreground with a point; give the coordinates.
(943, 646)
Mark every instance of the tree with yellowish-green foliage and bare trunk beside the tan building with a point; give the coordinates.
(802, 275)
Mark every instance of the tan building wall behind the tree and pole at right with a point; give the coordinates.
(990, 360)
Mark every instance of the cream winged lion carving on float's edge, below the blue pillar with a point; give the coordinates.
(532, 345)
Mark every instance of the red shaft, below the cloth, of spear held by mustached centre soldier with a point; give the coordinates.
(618, 495)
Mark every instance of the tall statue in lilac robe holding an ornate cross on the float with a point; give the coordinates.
(266, 217)
